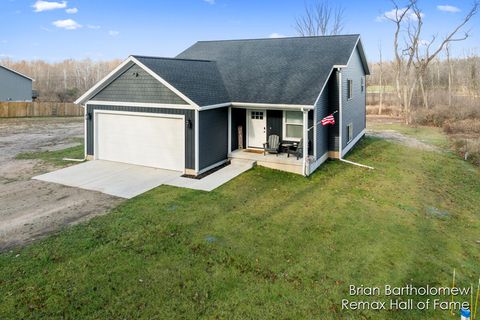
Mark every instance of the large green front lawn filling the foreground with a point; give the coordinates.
(267, 245)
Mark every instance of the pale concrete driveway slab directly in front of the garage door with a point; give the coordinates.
(113, 178)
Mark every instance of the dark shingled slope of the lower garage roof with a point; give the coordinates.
(199, 80)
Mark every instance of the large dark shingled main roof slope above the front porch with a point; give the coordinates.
(277, 71)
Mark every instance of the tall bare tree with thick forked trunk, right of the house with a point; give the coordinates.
(414, 57)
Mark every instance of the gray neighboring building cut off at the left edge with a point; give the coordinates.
(14, 86)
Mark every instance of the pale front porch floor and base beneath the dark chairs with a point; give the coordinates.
(279, 162)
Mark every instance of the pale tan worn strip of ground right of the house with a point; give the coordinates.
(428, 135)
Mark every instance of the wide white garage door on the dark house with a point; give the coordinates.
(145, 139)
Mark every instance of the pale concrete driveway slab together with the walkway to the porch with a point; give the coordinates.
(127, 181)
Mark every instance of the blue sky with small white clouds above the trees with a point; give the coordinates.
(115, 29)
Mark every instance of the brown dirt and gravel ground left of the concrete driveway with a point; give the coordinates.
(30, 209)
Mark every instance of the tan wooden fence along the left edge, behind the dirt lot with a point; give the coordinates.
(39, 109)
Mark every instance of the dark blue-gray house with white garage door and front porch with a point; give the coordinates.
(222, 99)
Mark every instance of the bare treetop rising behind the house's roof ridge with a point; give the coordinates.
(320, 19)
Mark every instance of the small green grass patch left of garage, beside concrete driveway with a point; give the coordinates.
(55, 157)
